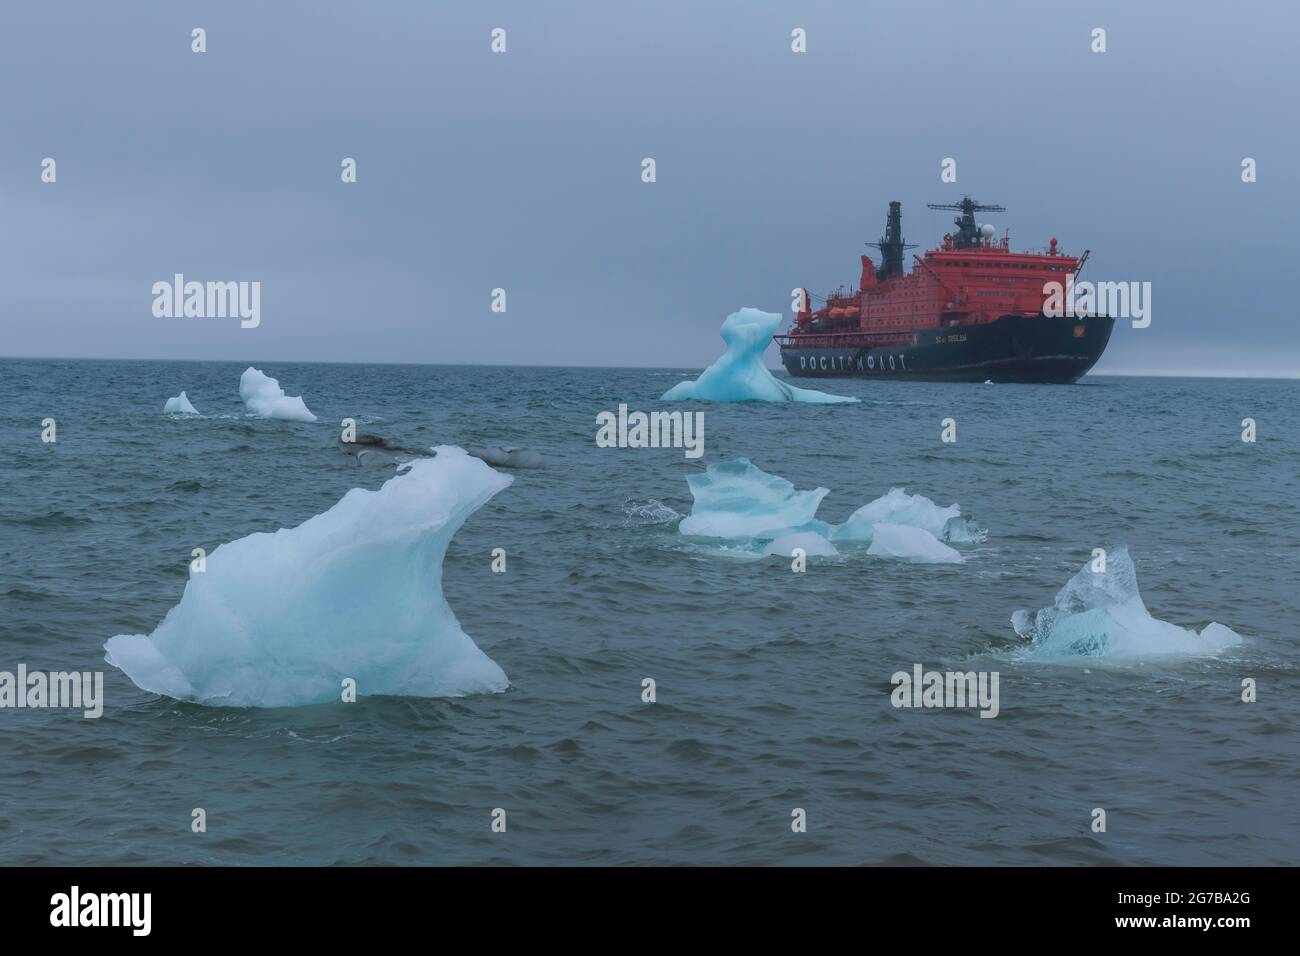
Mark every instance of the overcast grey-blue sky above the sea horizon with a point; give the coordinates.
(523, 171)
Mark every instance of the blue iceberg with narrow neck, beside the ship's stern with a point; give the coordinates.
(740, 374)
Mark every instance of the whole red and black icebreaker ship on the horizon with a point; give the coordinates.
(970, 310)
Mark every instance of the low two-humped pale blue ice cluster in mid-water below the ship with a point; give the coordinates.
(739, 501)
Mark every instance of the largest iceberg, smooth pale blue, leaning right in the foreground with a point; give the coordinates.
(281, 620)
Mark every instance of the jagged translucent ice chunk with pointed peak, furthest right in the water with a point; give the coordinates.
(1100, 615)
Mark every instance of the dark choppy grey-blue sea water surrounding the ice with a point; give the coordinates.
(773, 687)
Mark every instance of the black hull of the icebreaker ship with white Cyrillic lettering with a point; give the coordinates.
(1011, 349)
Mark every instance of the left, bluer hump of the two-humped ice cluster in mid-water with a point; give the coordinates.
(739, 500)
